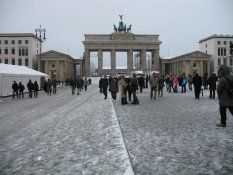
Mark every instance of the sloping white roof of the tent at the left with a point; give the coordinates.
(19, 70)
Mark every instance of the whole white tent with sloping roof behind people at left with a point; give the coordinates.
(10, 73)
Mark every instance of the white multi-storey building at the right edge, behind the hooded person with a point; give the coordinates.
(219, 47)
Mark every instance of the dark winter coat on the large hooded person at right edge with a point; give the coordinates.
(223, 85)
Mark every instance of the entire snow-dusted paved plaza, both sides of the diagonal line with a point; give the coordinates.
(66, 134)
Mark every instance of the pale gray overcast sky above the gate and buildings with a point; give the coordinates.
(180, 23)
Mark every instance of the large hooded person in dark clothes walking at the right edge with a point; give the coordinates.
(224, 96)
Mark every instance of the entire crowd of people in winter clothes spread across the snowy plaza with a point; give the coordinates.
(129, 87)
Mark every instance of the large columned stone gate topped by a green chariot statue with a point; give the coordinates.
(121, 40)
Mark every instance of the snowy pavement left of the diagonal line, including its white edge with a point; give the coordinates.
(61, 134)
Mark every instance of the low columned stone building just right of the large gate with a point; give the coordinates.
(190, 63)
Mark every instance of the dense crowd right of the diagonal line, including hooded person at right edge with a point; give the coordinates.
(130, 85)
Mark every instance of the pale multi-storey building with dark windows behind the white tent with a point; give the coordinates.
(19, 49)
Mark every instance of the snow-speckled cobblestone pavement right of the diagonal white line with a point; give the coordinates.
(176, 134)
